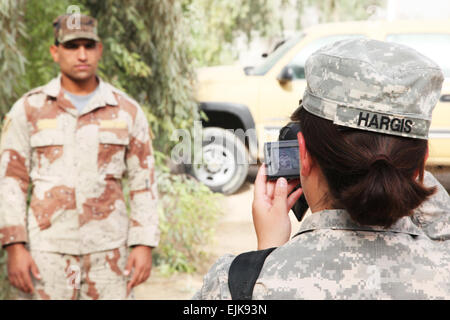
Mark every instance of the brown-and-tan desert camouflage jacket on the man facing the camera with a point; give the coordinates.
(75, 164)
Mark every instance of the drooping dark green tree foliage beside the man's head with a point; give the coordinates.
(146, 54)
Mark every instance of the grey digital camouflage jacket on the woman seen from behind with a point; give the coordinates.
(332, 257)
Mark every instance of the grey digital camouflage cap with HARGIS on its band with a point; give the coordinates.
(373, 85)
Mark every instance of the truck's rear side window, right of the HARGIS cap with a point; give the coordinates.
(434, 46)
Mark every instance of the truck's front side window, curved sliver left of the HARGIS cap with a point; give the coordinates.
(298, 63)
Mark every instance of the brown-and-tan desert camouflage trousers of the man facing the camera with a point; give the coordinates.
(85, 277)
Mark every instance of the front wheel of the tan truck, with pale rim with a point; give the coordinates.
(224, 161)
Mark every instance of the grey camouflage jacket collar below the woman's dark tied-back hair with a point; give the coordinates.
(341, 220)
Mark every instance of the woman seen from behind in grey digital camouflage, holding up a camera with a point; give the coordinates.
(358, 243)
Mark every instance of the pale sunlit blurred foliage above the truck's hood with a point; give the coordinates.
(214, 25)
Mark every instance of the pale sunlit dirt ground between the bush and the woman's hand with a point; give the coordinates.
(234, 234)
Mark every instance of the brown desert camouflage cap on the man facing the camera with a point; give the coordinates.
(75, 26)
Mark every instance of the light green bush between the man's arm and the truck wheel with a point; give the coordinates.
(187, 213)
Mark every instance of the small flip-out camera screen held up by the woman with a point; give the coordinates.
(281, 158)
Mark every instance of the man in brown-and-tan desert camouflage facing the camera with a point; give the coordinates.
(74, 152)
